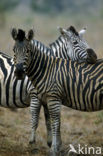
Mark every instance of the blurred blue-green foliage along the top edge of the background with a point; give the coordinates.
(61, 5)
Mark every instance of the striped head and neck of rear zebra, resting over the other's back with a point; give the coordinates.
(74, 48)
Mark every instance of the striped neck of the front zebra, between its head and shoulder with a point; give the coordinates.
(40, 66)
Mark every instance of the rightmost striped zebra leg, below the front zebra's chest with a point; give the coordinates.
(54, 106)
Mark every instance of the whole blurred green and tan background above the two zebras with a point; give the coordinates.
(45, 15)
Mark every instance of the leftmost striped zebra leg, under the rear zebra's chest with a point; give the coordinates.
(35, 111)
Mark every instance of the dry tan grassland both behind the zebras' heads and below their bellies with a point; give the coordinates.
(77, 127)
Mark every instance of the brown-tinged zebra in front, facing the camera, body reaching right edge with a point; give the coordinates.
(58, 81)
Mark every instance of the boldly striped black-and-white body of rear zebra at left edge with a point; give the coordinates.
(13, 92)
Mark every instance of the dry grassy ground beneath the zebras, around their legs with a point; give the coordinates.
(81, 128)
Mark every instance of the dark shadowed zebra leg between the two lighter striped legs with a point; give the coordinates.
(48, 125)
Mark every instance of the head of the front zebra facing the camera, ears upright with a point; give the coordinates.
(22, 49)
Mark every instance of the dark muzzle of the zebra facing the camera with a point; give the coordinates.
(19, 72)
